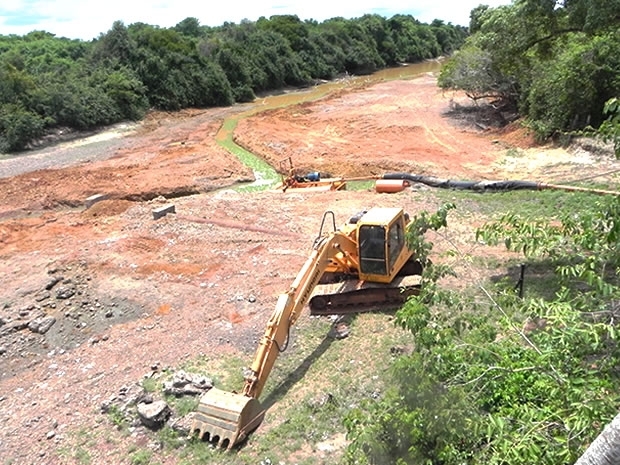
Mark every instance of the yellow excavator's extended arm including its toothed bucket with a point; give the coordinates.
(229, 417)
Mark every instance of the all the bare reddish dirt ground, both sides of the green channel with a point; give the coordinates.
(92, 298)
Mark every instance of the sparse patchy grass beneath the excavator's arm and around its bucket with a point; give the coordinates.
(312, 386)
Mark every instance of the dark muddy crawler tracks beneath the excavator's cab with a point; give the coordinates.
(353, 296)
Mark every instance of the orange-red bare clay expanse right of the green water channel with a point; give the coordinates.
(392, 126)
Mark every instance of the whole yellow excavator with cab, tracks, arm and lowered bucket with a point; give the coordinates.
(366, 264)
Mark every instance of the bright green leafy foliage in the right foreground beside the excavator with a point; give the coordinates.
(516, 381)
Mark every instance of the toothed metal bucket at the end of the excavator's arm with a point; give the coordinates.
(226, 418)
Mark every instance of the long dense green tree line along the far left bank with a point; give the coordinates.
(48, 82)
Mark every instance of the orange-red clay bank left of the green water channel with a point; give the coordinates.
(172, 155)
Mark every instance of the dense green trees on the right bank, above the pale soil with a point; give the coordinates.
(557, 62)
